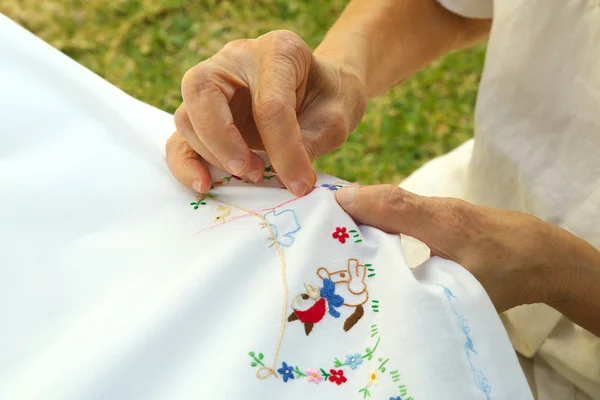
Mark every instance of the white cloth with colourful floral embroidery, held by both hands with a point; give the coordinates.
(108, 289)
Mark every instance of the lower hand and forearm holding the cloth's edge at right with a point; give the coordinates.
(518, 258)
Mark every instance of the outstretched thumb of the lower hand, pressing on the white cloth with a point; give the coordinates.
(394, 210)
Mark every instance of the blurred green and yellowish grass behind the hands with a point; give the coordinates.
(145, 46)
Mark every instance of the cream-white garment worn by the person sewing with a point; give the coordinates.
(537, 131)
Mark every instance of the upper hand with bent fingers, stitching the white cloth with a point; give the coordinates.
(271, 93)
